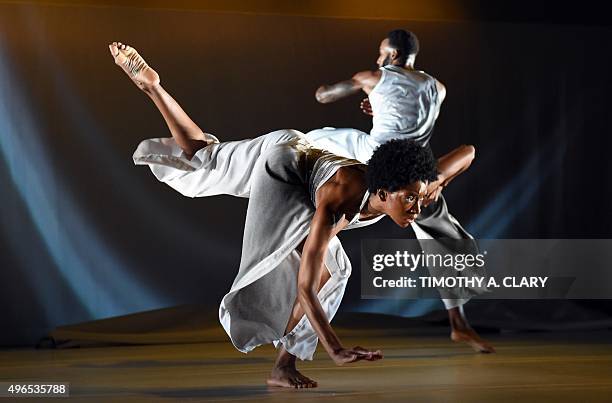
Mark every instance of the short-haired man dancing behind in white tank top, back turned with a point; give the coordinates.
(404, 103)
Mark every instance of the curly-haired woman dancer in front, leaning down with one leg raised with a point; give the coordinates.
(293, 270)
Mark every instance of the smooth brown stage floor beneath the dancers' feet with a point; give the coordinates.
(527, 367)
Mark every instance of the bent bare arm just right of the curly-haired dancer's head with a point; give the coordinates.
(450, 166)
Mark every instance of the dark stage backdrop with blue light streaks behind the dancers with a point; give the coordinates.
(84, 234)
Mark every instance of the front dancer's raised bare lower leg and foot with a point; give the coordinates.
(185, 132)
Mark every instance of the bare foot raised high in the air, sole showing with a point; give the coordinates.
(134, 66)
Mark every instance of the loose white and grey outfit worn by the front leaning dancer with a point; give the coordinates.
(279, 173)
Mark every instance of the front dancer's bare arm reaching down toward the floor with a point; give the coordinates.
(312, 263)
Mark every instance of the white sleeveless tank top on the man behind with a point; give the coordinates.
(405, 105)
